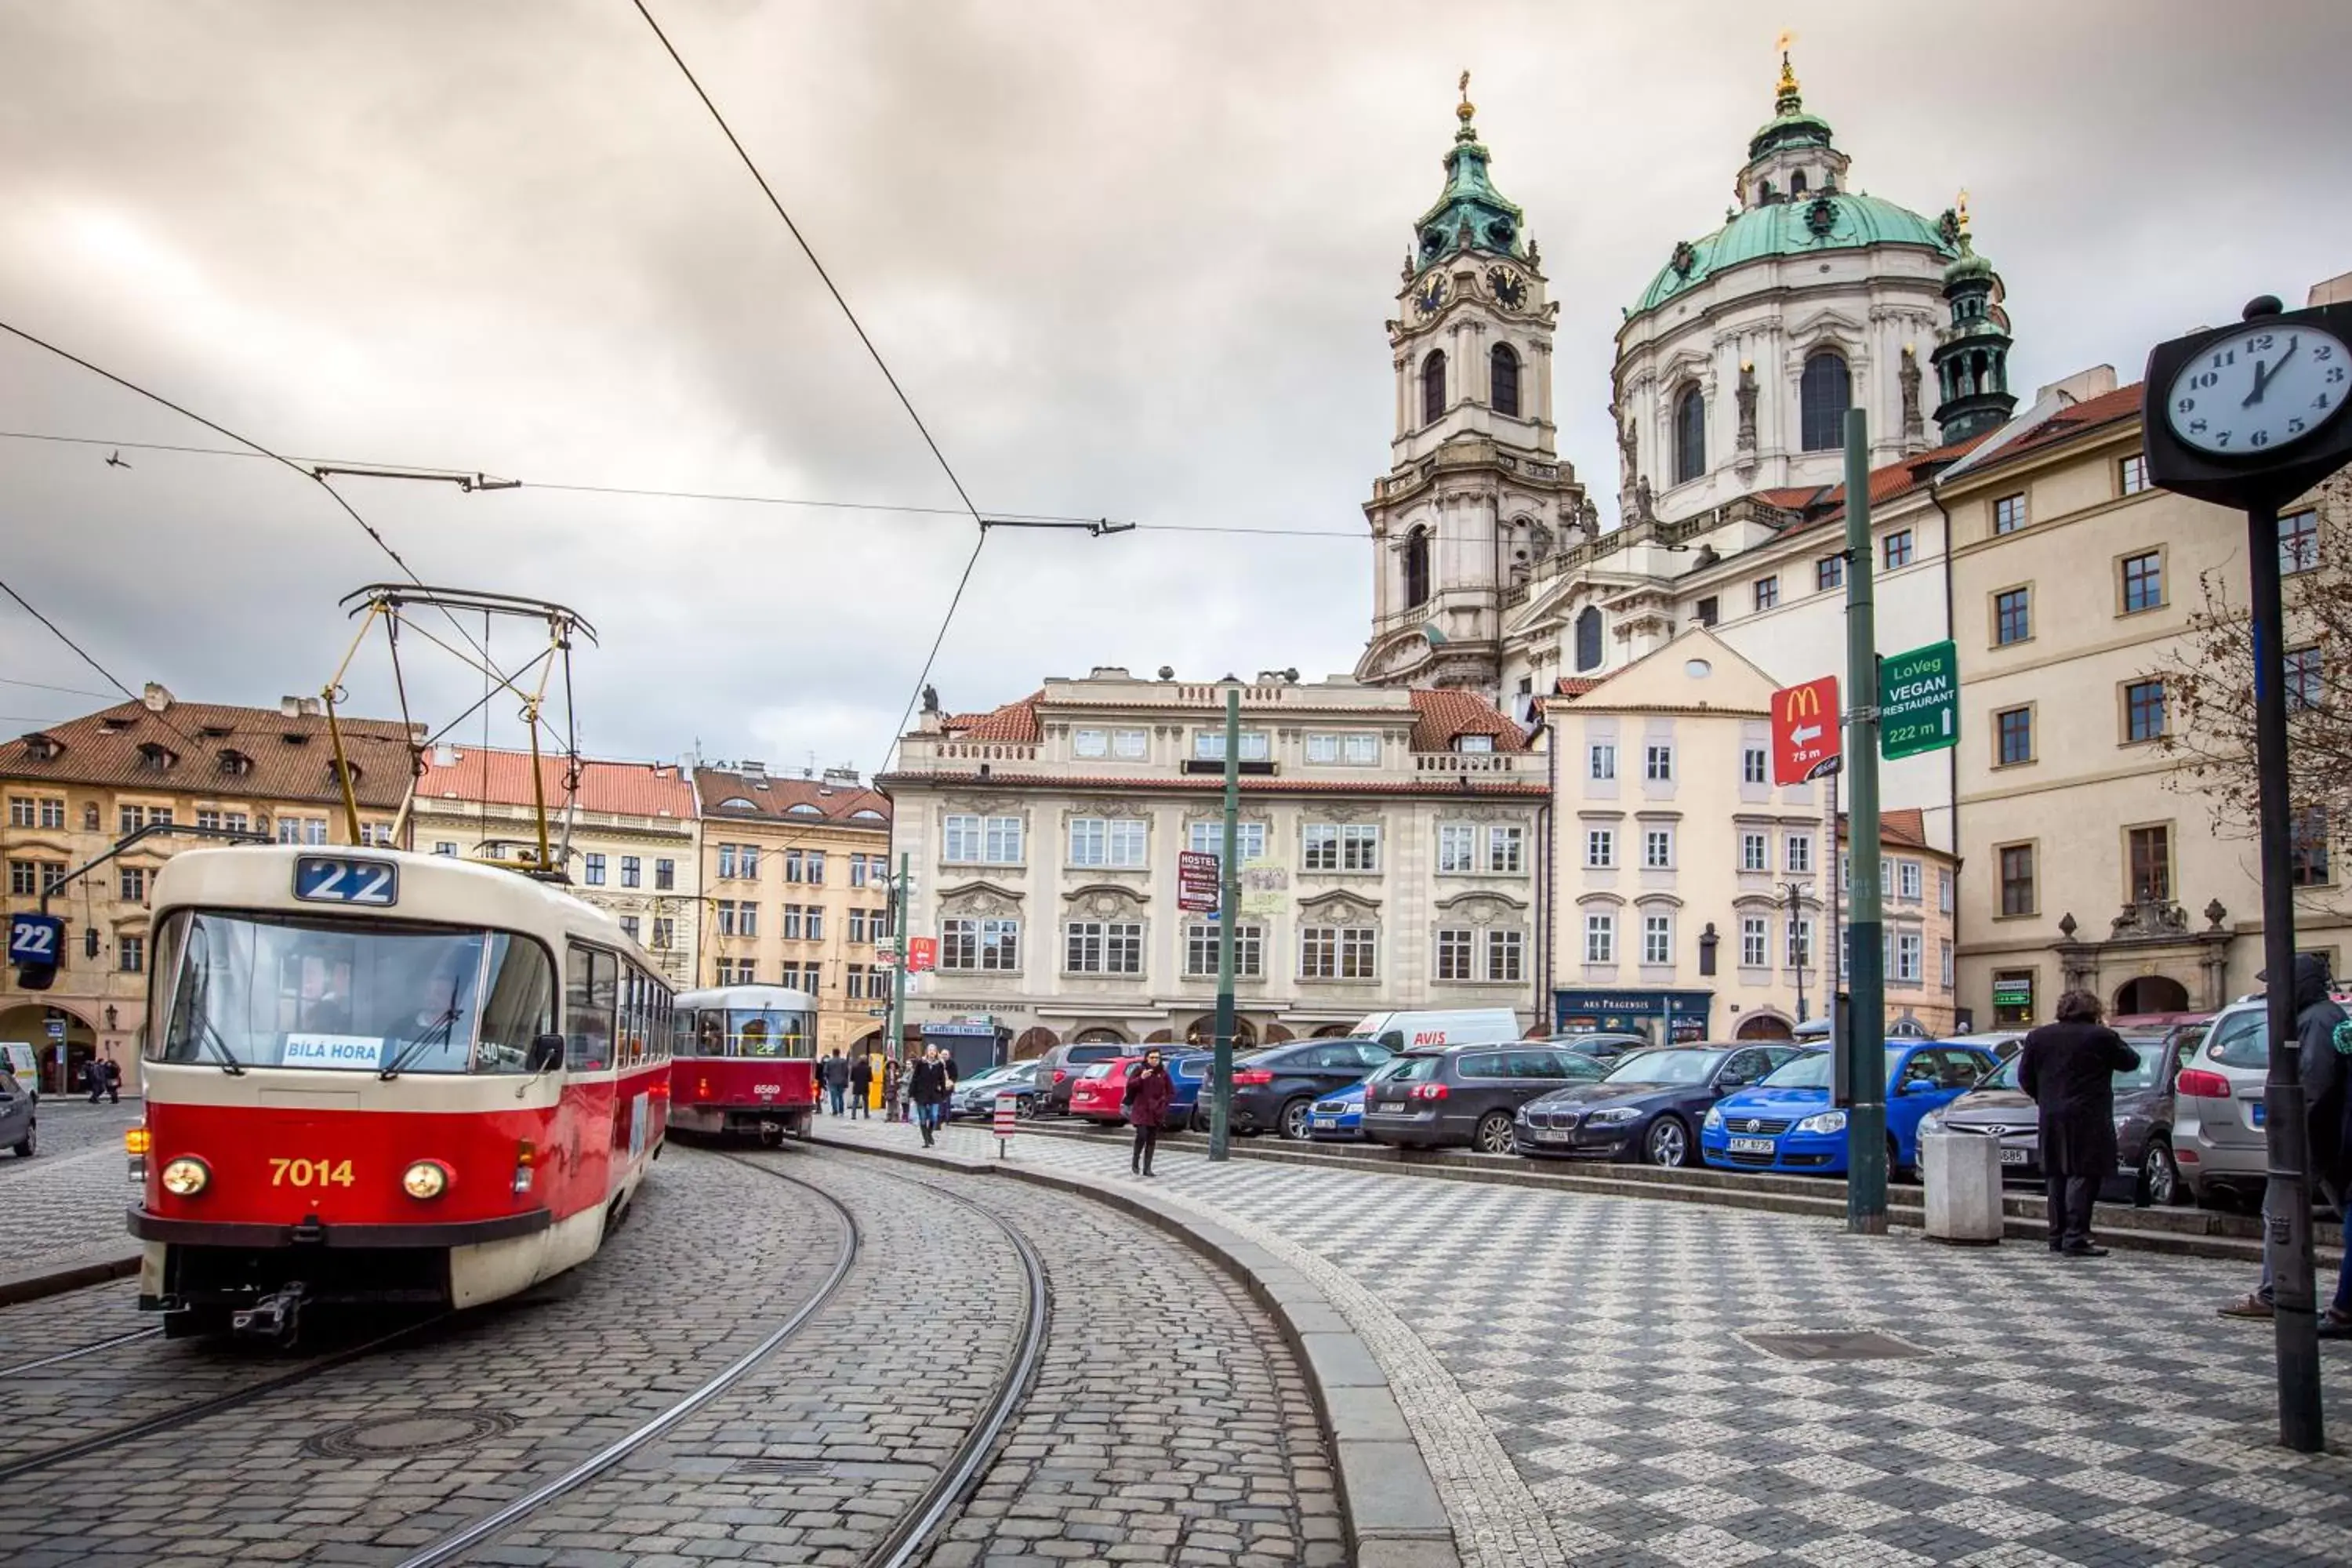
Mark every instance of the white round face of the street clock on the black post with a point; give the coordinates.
(2259, 389)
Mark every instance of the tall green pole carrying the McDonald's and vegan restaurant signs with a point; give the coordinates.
(1866, 958)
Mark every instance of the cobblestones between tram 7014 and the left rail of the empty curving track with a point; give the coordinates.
(490, 1402)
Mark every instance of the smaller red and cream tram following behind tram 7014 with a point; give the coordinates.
(744, 1061)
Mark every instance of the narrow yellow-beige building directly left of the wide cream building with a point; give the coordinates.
(796, 892)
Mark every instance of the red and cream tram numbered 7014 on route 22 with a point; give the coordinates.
(385, 1078)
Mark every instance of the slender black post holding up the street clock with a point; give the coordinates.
(2287, 1202)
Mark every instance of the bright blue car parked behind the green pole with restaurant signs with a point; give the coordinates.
(1789, 1125)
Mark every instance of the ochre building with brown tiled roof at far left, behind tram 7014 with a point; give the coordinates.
(79, 789)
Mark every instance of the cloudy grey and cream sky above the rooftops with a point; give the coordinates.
(1125, 260)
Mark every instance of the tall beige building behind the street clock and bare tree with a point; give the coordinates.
(2090, 859)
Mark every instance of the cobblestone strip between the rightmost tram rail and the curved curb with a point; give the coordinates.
(1170, 1421)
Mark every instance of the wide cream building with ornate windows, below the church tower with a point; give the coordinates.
(1391, 857)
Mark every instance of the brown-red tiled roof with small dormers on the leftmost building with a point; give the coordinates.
(189, 749)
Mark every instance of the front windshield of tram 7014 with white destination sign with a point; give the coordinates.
(276, 991)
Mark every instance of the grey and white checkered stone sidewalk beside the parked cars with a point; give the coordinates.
(1577, 1379)
